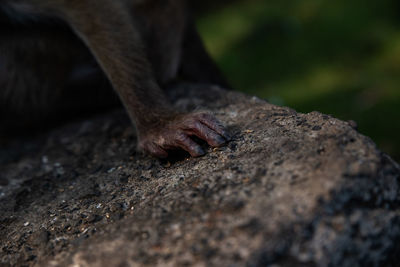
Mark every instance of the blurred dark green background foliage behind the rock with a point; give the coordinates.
(338, 57)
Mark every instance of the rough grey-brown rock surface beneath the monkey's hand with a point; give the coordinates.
(291, 189)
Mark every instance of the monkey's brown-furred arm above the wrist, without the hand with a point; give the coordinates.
(106, 28)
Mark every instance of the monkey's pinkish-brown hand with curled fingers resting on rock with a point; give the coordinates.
(176, 132)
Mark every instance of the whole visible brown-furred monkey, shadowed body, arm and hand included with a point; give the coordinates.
(61, 56)
